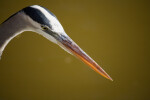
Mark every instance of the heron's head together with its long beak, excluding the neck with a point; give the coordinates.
(45, 23)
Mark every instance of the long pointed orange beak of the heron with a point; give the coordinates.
(73, 48)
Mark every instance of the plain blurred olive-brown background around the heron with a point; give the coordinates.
(115, 33)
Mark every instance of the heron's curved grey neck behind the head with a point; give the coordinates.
(9, 29)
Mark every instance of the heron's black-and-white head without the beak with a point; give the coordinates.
(44, 22)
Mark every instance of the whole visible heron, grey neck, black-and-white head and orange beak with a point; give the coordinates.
(40, 20)
